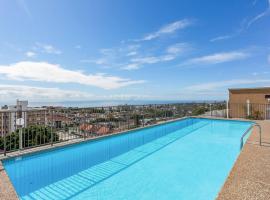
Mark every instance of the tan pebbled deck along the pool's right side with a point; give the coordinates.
(249, 177)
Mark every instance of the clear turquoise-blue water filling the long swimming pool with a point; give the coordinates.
(186, 159)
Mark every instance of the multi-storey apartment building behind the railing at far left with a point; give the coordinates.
(20, 115)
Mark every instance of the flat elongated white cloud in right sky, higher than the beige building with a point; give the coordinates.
(218, 58)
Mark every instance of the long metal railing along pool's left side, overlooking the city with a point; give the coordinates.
(23, 129)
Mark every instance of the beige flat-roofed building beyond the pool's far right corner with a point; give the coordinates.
(249, 102)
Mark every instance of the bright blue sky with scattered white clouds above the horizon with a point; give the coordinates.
(123, 49)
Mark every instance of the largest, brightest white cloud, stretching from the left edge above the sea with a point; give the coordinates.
(46, 72)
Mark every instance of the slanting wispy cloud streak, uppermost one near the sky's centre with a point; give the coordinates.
(168, 29)
